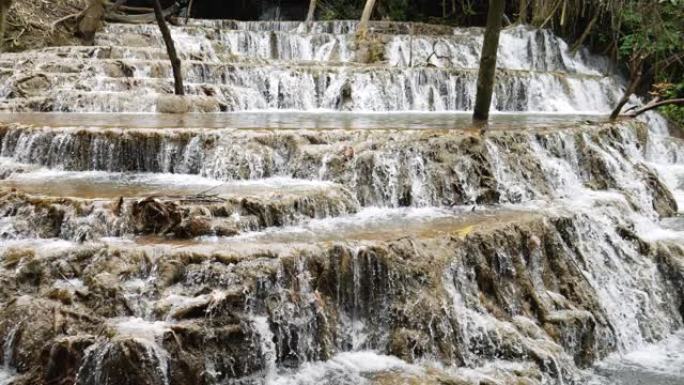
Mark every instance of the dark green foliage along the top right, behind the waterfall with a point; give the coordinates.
(648, 31)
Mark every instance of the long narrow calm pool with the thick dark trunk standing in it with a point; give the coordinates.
(322, 120)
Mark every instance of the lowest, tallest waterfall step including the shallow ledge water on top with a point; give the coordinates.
(472, 286)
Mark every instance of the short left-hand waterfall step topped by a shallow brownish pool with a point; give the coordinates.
(91, 205)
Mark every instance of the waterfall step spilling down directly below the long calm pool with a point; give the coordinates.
(382, 167)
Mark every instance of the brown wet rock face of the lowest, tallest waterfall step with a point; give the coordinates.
(318, 300)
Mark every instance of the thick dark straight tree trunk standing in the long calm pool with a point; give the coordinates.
(487, 73)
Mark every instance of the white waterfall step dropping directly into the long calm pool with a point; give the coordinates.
(129, 85)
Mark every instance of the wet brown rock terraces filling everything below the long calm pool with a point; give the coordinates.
(231, 305)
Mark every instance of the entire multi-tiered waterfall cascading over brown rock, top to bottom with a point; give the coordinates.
(332, 245)
